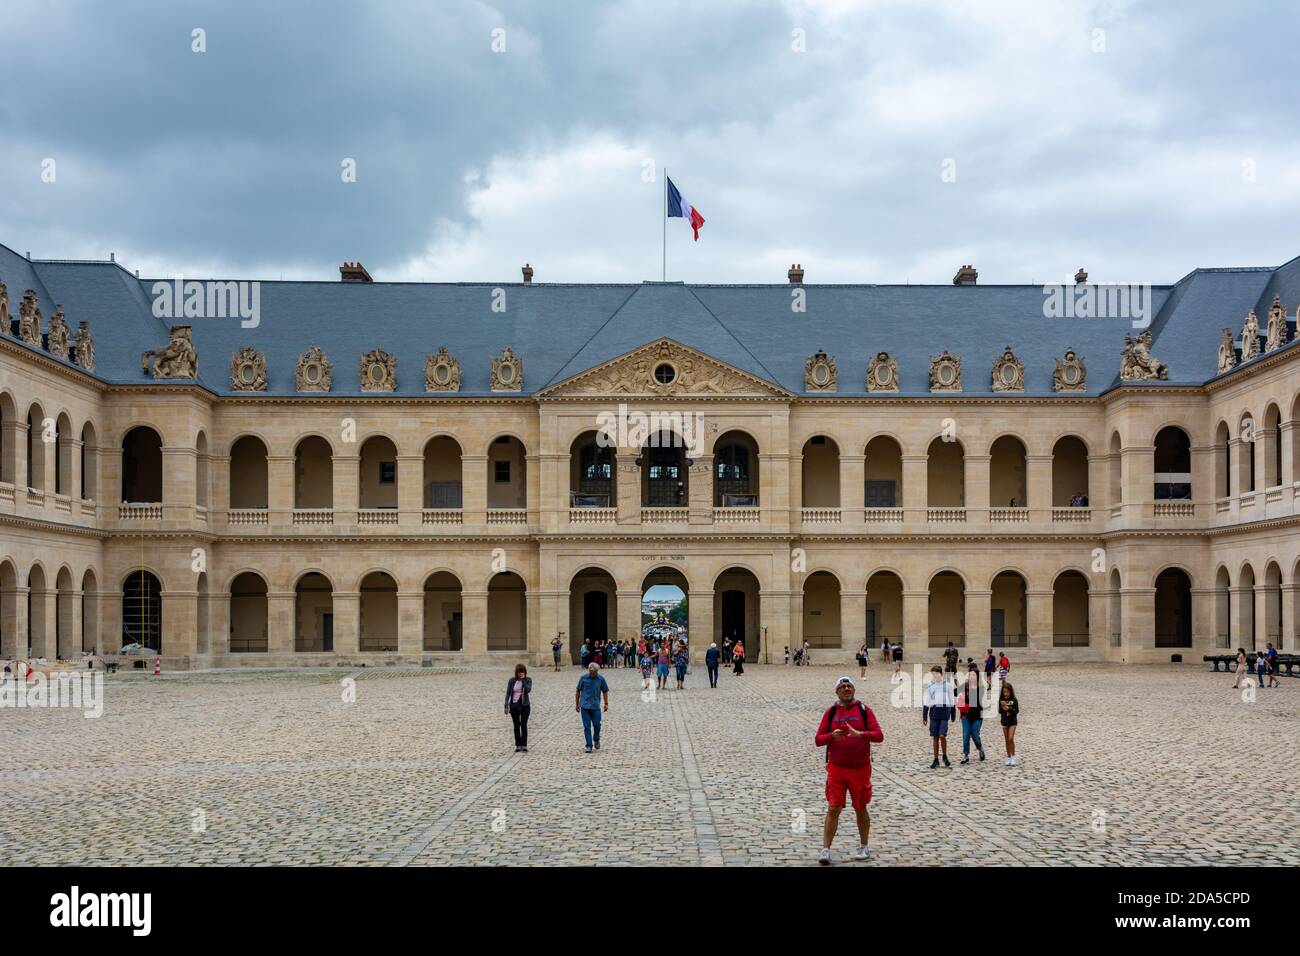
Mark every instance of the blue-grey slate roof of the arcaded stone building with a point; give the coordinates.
(562, 330)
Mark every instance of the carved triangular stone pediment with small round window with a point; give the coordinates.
(665, 369)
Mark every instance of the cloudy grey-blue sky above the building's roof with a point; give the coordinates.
(872, 142)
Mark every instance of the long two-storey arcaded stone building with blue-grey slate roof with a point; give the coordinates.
(396, 479)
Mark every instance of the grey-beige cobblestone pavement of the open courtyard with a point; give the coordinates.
(1121, 767)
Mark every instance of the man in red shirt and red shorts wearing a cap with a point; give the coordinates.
(847, 733)
